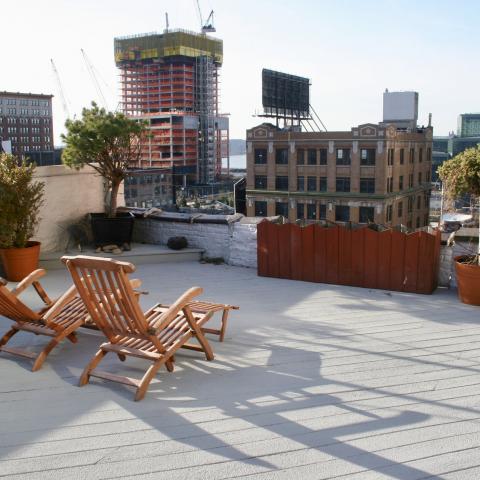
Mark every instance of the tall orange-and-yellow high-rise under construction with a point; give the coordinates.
(171, 80)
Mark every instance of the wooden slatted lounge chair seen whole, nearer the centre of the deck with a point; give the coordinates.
(154, 335)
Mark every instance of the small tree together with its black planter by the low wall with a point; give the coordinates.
(110, 143)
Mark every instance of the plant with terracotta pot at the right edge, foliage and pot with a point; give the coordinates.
(461, 175)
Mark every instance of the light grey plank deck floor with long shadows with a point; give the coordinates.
(313, 381)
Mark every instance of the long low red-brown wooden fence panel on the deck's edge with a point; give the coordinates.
(388, 260)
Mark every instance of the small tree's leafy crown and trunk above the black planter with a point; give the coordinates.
(109, 142)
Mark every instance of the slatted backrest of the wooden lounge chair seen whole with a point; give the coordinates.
(103, 285)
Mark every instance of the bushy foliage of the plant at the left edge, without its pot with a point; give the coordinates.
(20, 200)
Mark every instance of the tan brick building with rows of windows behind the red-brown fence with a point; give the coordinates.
(374, 173)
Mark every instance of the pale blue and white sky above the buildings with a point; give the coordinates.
(351, 51)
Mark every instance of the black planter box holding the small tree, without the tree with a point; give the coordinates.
(108, 231)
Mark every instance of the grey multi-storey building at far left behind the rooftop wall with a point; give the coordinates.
(26, 122)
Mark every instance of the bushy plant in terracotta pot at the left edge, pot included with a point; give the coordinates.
(20, 201)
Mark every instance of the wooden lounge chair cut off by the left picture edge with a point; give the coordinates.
(58, 319)
